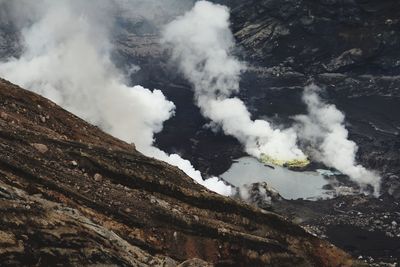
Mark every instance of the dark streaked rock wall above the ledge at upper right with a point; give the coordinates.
(313, 37)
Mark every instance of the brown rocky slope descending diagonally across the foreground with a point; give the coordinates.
(73, 195)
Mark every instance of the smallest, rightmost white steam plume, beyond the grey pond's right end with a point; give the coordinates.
(324, 130)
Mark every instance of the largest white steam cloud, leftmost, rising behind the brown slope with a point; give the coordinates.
(67, 58)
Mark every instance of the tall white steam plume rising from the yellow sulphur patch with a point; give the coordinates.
(201, 43)
